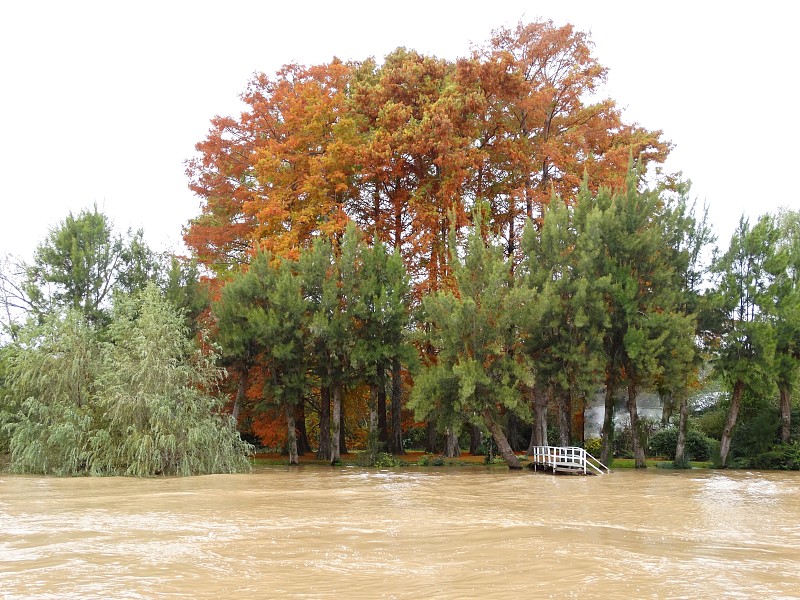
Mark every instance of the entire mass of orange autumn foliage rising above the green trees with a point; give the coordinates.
(407, 148)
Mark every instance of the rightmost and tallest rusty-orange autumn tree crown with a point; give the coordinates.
(541, 128)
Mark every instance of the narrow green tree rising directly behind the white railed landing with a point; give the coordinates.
(562, 313)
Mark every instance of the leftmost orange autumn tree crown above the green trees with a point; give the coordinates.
(271, 179)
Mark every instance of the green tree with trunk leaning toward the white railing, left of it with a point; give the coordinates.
(474, 376)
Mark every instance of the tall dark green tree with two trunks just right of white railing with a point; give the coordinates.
(640, 270)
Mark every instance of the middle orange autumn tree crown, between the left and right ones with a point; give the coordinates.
(413, 157)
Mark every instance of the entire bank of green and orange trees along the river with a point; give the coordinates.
(467, 249)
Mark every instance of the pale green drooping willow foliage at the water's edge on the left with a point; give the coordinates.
(138, 404)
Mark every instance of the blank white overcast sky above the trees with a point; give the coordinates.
(102, 102)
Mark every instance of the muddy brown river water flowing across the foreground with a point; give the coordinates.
(470, 532)
